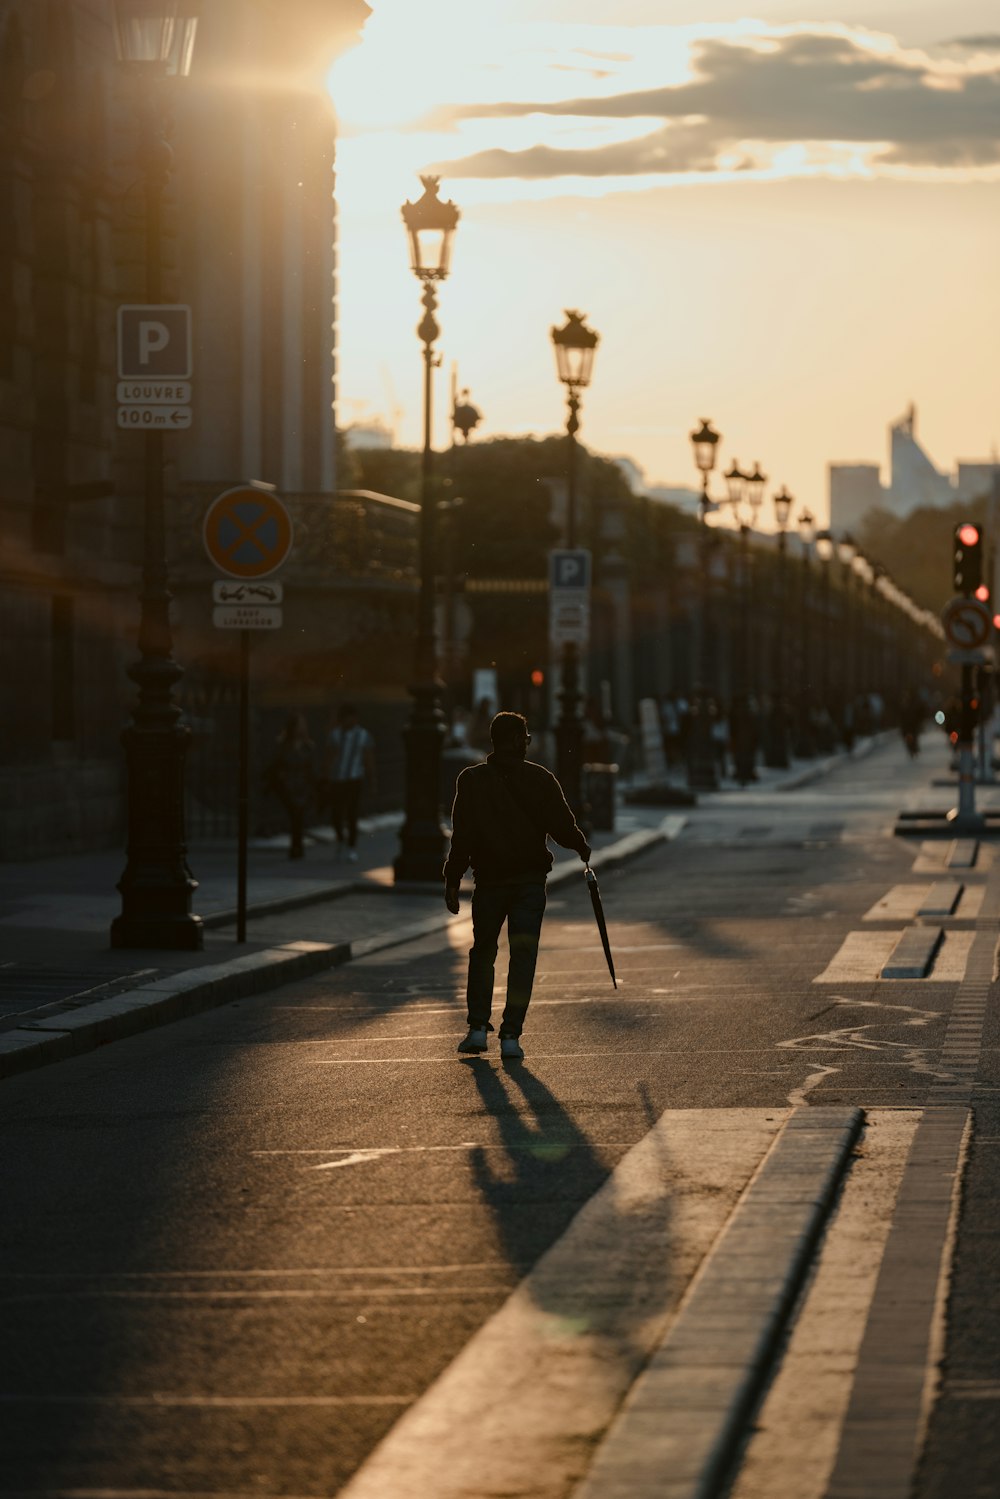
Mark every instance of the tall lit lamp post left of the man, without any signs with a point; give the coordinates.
(422, 842)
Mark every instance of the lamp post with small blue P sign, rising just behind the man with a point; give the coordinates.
(575, 346)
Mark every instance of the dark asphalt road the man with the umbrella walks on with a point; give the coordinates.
(238, 1249)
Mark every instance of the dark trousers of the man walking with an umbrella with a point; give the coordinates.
(521, 905)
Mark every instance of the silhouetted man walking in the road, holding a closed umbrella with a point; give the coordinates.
(503, 813)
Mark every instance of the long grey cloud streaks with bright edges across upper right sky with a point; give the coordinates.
(755, 97)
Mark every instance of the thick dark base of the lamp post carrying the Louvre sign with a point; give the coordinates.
(157, 887)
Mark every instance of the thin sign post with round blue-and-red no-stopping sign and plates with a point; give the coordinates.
(248, 534)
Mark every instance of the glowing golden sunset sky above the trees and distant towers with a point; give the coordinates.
(785, 220)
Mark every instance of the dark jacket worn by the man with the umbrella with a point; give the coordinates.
(503, 812)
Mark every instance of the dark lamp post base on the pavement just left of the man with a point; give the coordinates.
(424, 842)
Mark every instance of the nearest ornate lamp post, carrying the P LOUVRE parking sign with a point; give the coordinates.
(155, 41)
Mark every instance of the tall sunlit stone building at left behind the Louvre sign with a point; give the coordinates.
(250, 244)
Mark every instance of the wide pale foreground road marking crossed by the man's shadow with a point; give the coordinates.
(579, 1327)
